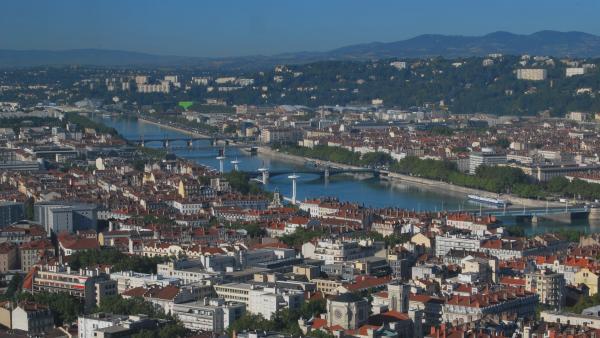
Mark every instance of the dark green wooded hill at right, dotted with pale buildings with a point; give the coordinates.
(463, 85)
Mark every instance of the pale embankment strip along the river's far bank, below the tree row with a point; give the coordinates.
(424, 183)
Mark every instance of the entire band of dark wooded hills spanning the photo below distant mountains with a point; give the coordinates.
(462, 85)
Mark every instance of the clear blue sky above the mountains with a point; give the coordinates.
(249, 27)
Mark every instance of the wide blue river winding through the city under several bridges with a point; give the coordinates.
(363, 189)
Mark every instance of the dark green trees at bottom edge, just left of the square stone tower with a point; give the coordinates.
(285, 321)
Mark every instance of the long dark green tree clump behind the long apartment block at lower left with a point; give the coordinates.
(119, 260)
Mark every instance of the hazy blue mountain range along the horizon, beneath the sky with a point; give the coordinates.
(574, 44)
